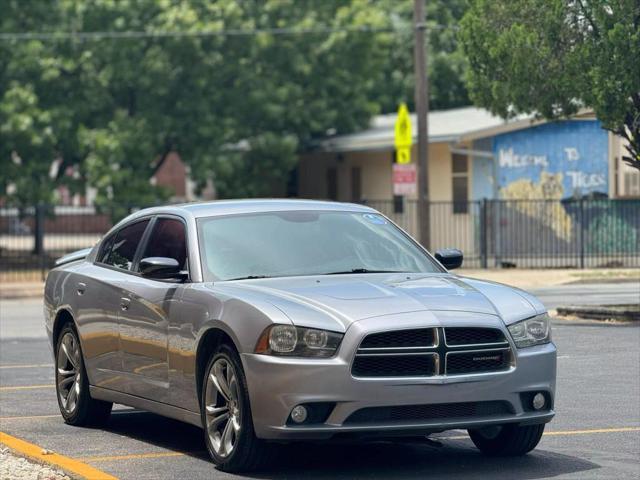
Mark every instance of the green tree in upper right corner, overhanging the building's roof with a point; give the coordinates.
(553, 57)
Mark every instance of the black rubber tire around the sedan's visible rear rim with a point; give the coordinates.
(87, 411)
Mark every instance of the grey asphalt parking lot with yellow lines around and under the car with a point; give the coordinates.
(596, 433)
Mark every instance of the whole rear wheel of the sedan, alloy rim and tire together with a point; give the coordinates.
(72, 385)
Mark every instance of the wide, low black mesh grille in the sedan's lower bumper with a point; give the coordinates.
(425, 413)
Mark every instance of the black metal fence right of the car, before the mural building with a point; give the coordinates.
(586, 233)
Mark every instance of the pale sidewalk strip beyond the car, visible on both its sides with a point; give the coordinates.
(514, 277)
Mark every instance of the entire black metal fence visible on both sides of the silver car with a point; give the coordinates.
(491, 233)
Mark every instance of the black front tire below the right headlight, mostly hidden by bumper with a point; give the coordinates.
(507, 440)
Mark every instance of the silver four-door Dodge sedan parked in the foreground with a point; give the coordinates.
(288, 320)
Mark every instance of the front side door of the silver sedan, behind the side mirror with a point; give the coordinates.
(147, 307)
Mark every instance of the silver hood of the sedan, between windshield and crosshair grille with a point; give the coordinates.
(335, 302)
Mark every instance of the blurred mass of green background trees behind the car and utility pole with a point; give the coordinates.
(237, 108)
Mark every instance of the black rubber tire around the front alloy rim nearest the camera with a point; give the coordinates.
(249, 452)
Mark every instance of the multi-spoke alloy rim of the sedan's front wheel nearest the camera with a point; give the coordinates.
(222, 407)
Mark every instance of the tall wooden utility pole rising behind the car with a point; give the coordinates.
(422, 112)
